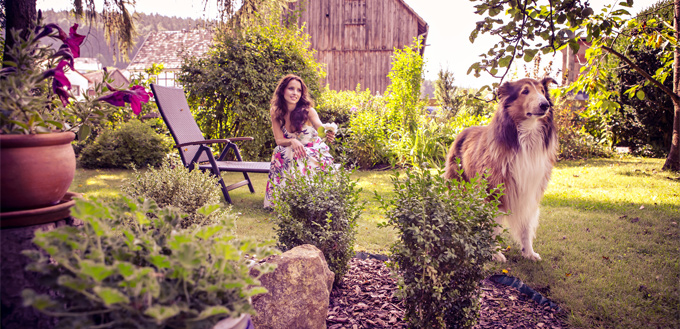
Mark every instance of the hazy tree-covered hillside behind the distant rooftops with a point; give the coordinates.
(95, 44)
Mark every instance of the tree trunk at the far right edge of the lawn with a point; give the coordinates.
(673, 159)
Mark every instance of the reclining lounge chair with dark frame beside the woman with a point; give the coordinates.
(193, 147)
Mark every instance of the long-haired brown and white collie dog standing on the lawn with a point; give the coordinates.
(518, 148)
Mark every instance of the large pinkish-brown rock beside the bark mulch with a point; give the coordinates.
(299, 290)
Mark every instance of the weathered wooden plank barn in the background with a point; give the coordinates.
(356, 38)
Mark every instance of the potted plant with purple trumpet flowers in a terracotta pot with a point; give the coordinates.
(38, 119)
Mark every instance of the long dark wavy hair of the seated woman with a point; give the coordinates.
(299, 115)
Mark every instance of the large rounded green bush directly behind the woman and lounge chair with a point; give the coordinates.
(231, 88)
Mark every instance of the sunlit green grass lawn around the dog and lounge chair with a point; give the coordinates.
(609, 237)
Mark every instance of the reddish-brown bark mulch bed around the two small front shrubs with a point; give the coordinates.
(365, 300)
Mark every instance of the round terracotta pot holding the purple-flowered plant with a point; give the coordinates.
(35, 170)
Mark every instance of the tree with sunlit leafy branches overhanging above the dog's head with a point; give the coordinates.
(534, 25)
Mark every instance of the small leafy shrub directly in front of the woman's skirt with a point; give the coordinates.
(320, 207)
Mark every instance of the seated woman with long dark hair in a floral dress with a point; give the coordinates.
(295, 124)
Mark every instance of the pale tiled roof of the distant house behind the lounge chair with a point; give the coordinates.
(166, 47)
